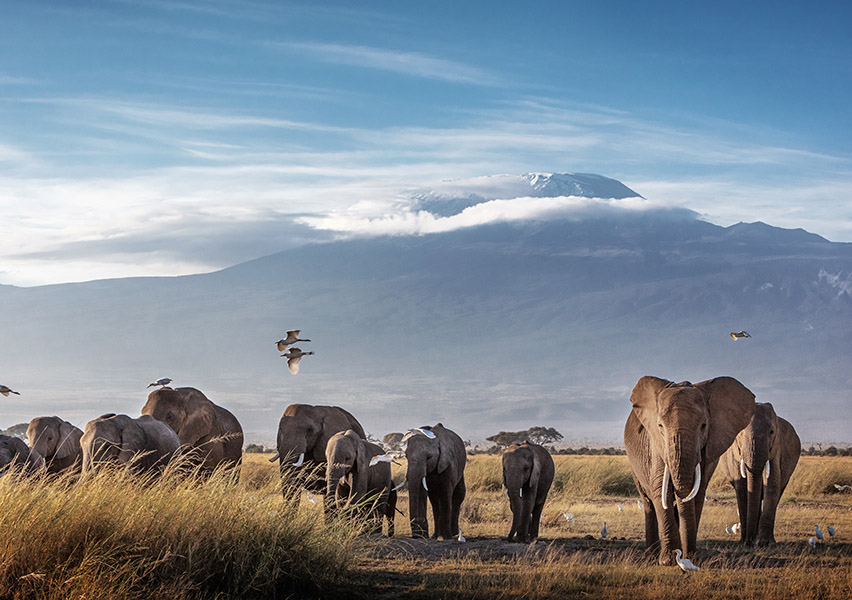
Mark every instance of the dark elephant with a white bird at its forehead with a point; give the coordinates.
(436, 461)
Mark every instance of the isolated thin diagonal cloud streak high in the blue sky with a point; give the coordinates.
(412, 64)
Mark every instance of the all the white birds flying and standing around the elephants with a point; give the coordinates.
(294, 355)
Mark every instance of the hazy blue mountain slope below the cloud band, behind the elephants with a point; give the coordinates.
(489, 328)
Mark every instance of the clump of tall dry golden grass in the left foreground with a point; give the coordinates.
(116, 535)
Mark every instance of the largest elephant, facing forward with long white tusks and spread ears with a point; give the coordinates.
(674, 437)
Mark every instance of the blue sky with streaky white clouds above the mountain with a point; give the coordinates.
(163, 138)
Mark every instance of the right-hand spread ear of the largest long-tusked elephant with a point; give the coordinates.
(731, 406)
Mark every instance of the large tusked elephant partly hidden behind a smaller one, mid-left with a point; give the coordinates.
(303, 434)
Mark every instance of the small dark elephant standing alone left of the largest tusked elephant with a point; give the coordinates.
(527, 474)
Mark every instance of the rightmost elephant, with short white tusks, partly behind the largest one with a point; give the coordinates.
(758, 465)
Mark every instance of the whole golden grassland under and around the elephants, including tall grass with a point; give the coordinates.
(113, 536)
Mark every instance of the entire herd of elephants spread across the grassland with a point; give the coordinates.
(676, 436)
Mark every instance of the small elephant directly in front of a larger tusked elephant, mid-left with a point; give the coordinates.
(350, 478)
